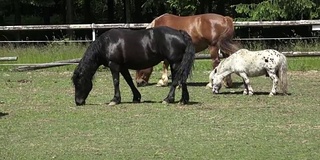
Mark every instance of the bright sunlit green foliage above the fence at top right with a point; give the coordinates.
(278, 10)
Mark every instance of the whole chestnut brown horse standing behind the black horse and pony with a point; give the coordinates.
(212, 31)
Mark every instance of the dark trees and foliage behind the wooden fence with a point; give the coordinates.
(14, 12)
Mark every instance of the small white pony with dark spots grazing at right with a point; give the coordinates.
(247, 63)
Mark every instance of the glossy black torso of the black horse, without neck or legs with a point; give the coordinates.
(139, 49)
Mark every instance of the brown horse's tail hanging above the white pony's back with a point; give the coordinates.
(225, 42)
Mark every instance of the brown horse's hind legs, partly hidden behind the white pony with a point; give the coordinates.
(214, 52)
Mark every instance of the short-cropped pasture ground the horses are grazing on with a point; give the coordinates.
(39, 120)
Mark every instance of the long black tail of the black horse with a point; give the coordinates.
(186, 65)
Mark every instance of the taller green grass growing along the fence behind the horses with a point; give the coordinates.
(58, 52)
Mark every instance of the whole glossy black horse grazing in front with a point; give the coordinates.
(123, 49)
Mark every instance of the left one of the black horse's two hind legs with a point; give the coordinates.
(175, 82)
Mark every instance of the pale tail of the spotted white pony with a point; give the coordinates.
(282, 73)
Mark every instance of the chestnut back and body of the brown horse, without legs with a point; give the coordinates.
(204, 29)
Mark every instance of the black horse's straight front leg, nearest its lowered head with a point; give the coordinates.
(115, 69)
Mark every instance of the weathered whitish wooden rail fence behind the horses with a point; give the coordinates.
(315, 24)
